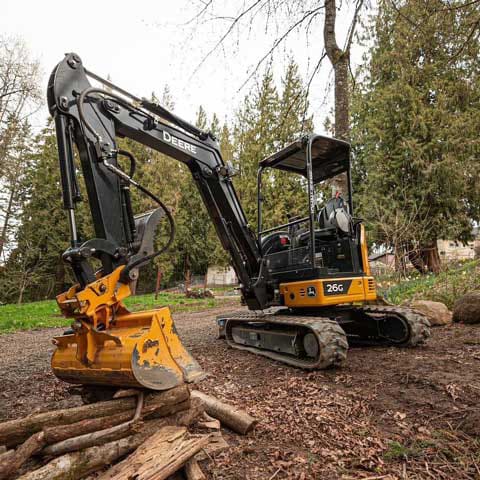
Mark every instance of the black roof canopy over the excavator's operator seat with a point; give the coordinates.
(330, 157)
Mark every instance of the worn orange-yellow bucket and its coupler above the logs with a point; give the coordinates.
(113, 346)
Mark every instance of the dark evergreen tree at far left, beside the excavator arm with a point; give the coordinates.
(34, 269)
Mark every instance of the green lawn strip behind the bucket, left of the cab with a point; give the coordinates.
(46, 314)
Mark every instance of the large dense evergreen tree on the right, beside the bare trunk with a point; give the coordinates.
(416, 117)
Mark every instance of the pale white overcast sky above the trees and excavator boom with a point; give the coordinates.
(144, 45)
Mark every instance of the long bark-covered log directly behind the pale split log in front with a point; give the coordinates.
(77, 465)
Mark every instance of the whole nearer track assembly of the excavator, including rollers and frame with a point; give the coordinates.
(303, 342)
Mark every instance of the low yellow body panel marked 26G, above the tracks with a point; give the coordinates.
(313, 293)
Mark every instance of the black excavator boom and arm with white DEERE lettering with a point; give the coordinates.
(92, 118)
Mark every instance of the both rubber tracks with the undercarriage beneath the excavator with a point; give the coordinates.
(319, 340)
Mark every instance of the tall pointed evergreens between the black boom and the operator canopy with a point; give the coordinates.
(267, 122)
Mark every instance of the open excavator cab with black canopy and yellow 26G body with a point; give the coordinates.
(319, 257)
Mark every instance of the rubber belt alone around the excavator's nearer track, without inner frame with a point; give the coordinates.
(331, 338)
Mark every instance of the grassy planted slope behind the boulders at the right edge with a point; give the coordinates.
(445, 287)
